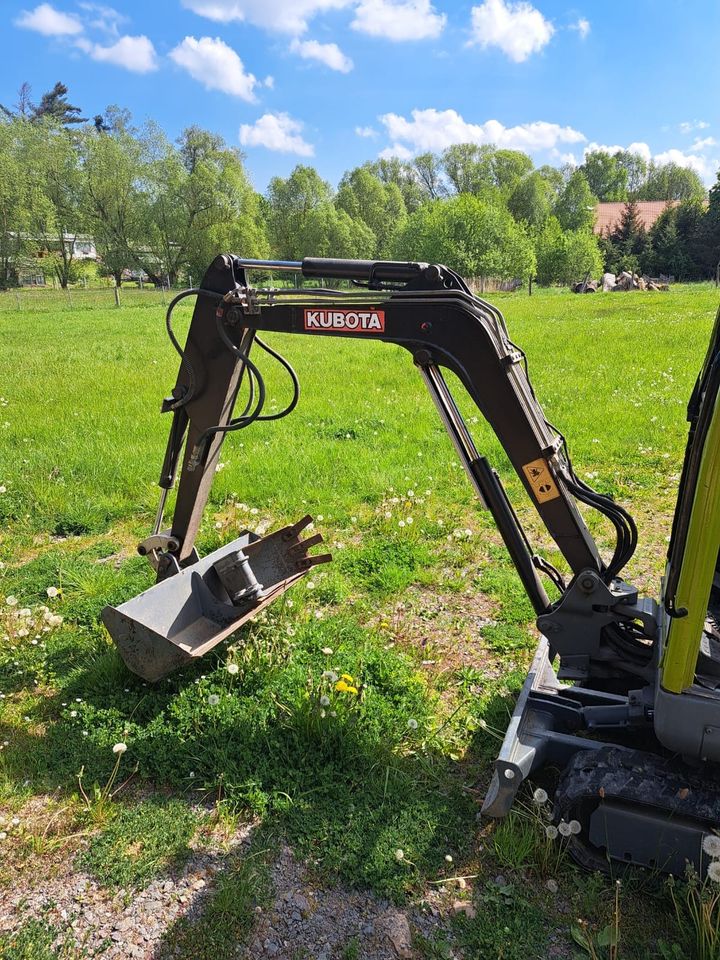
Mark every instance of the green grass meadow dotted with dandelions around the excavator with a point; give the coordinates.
(420, 607)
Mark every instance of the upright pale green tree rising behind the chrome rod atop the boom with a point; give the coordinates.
(290, 202)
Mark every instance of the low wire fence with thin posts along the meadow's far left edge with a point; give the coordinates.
(24, 299)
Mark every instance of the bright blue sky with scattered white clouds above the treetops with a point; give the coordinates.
(336, 82)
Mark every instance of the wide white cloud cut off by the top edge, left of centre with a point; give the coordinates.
(279, 16)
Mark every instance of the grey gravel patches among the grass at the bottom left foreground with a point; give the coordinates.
(302, 920)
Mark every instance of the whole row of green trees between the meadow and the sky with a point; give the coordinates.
(167, 208)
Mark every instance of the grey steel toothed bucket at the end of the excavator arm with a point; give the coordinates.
(189, 613)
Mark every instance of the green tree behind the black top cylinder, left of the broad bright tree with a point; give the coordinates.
(380, 206)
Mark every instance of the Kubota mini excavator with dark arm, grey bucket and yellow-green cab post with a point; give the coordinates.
(621, 705)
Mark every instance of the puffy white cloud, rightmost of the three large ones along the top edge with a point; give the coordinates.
(518, 29)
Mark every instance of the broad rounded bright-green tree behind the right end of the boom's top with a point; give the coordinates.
(470, 235)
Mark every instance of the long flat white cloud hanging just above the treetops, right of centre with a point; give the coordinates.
(437, 129)
